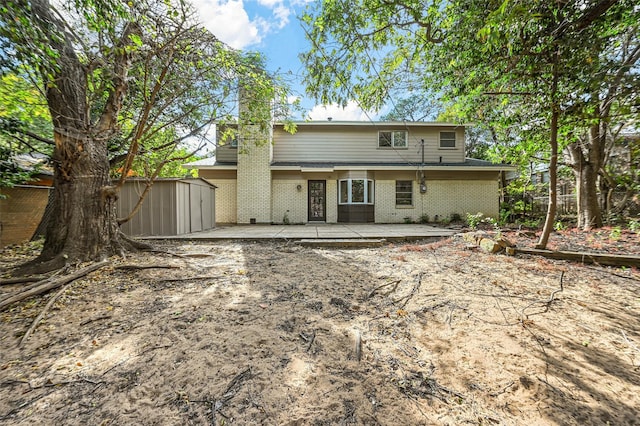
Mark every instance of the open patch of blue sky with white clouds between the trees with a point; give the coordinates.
(271, 27)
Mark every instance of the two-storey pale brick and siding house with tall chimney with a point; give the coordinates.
(386, 172)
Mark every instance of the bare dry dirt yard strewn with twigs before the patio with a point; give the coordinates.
(278, 334)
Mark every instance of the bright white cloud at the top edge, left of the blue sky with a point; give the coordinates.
(229, 21)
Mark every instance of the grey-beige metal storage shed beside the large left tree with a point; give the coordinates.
(172, 207)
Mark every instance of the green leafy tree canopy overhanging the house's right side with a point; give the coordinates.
(542, 72)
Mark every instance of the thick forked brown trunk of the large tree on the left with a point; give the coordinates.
(83, 224)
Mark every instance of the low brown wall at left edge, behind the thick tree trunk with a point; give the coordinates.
(20, 213)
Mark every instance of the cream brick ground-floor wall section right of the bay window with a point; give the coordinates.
(443, 198)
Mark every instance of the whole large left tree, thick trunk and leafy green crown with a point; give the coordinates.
(121, 80)
